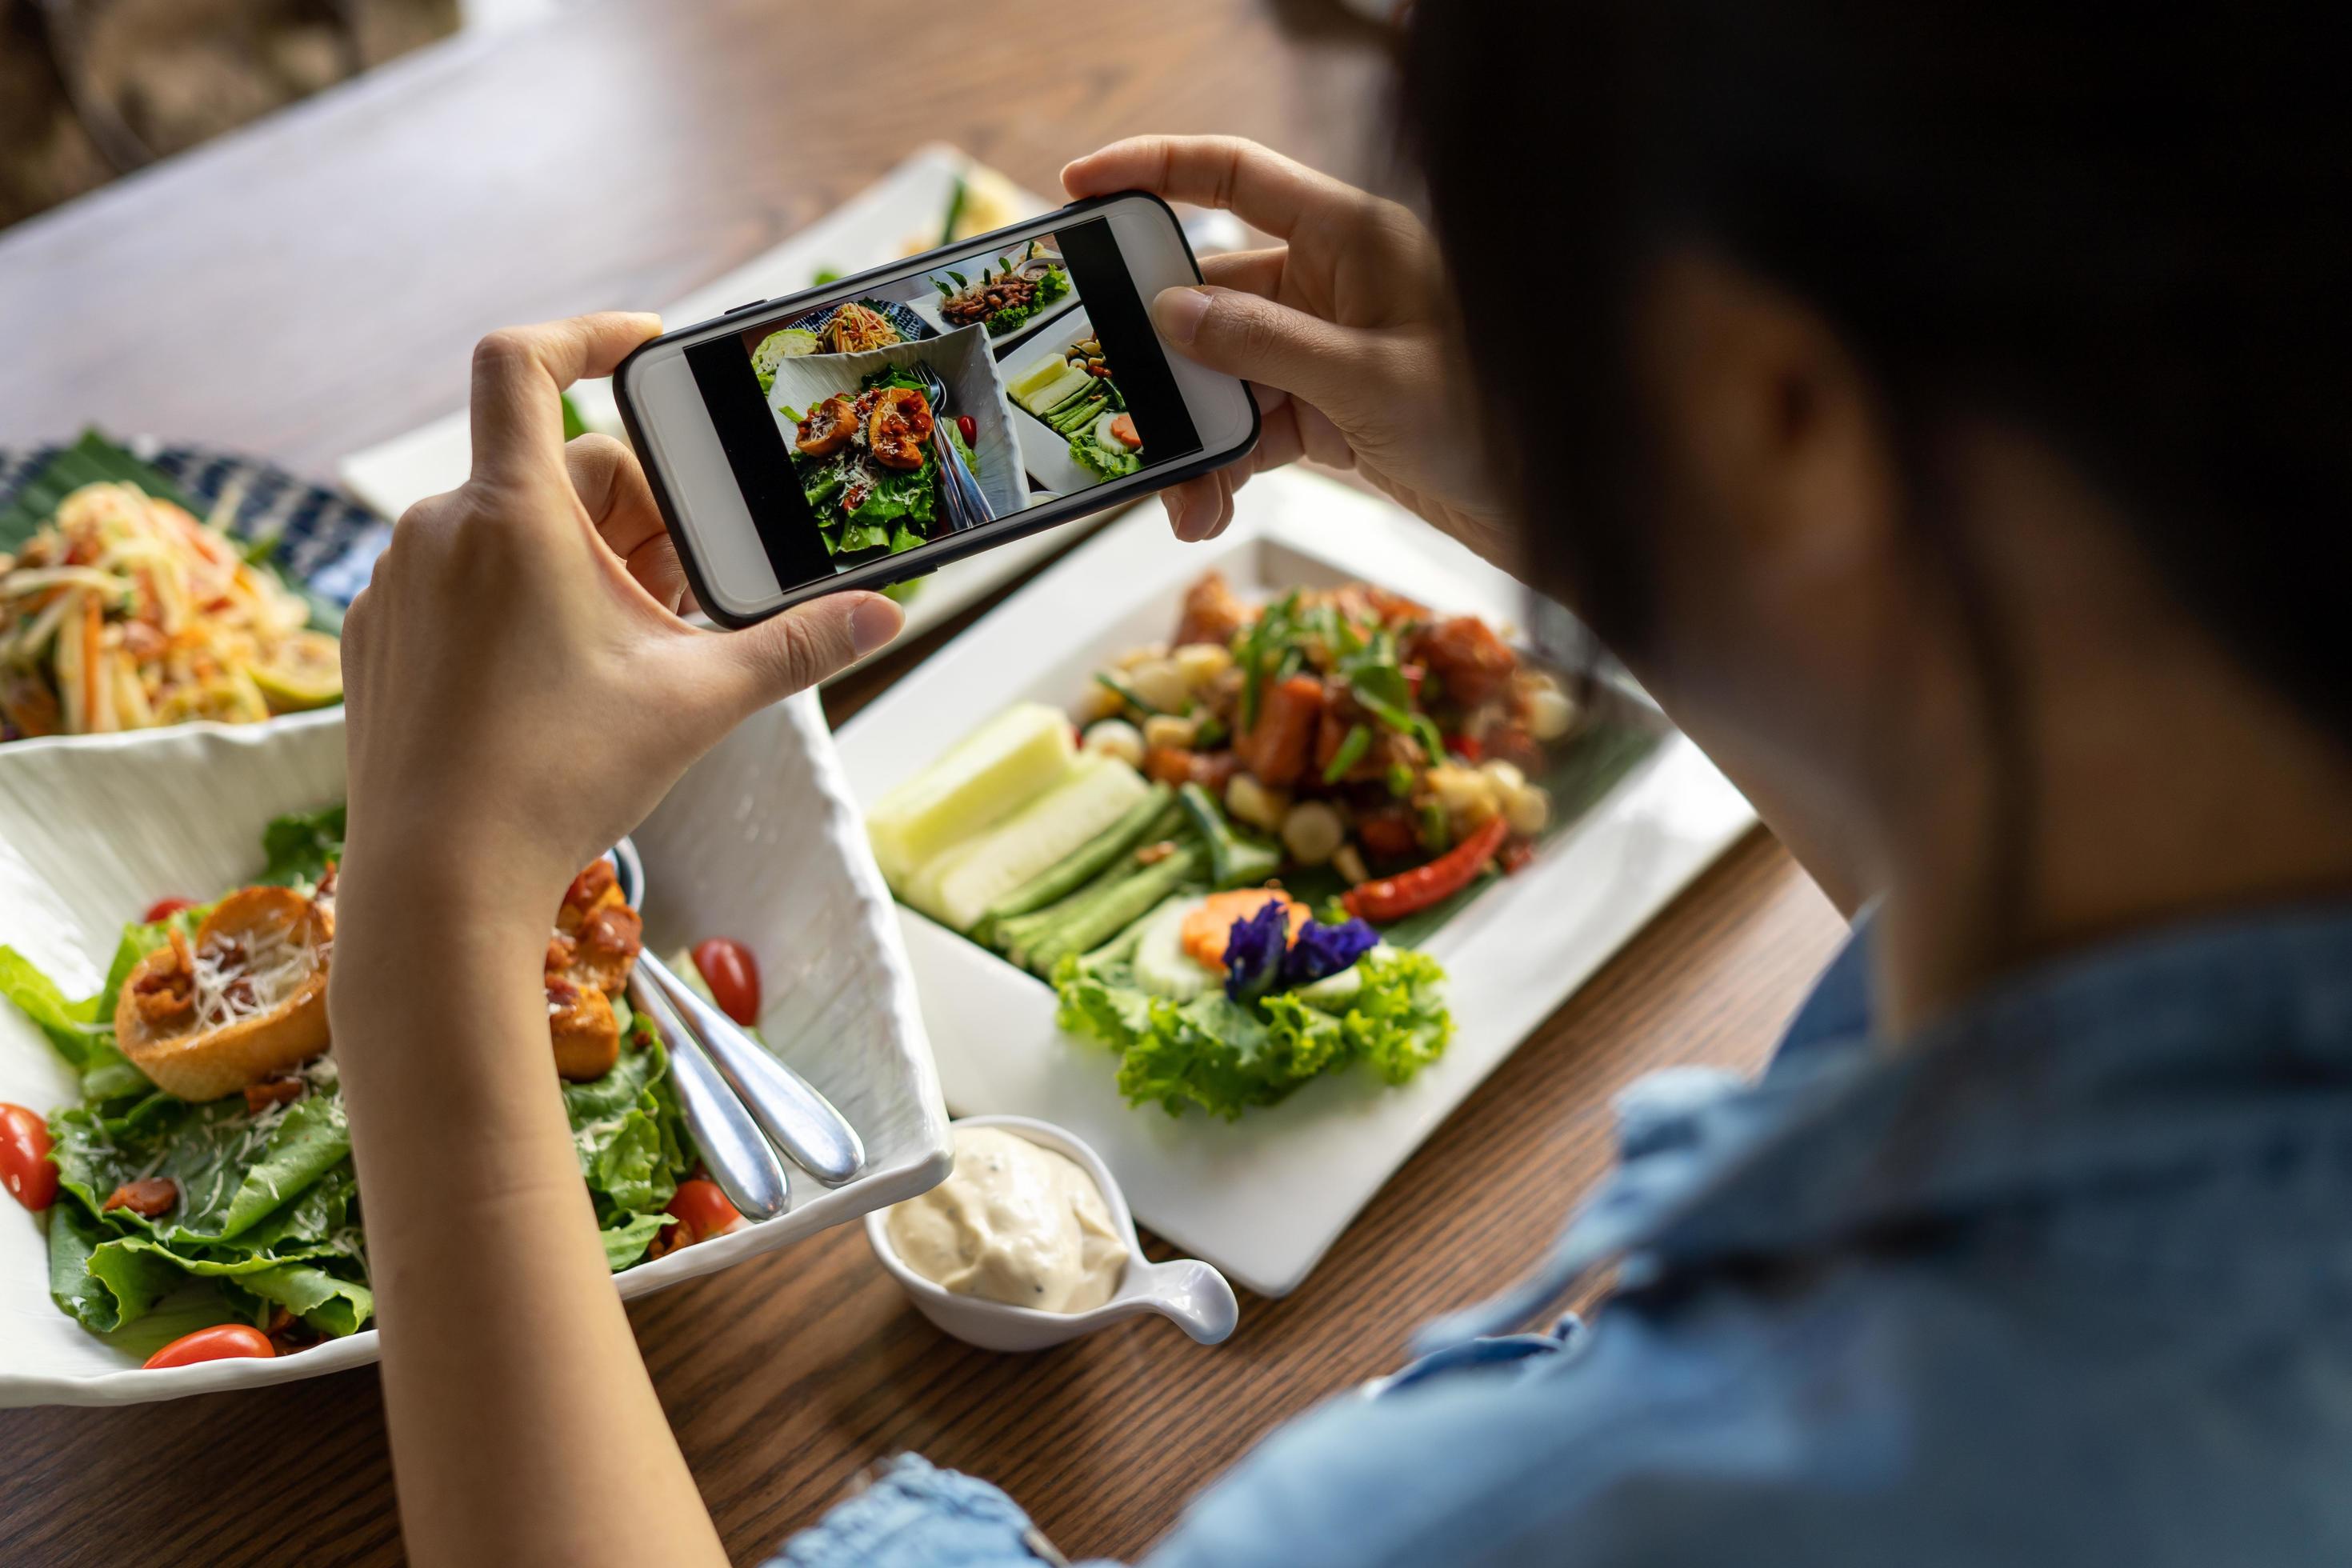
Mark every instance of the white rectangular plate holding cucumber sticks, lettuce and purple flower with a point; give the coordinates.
(1264, 1198)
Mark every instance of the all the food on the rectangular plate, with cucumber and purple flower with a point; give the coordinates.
(1229, 857)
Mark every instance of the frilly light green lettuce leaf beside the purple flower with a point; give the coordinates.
(1227, 1057)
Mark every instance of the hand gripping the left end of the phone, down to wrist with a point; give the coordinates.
(516, 681)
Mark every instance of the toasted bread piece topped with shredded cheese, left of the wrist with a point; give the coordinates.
(246, 1003)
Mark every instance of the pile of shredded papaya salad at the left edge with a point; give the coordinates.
(126, 612)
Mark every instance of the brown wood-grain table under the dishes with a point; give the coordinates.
(314, 286)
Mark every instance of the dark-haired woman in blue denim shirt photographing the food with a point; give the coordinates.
(1932, 403)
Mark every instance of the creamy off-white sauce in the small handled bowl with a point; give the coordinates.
(1015, 1224)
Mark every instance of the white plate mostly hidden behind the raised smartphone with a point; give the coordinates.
(895, 217)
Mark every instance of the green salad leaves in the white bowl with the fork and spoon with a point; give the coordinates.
(262, 1214)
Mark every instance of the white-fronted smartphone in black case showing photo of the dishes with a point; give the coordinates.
(888, 424)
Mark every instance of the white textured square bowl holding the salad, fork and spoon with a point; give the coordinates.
(756, 843)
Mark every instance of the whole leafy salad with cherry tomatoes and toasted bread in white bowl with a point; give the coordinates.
(203, 1181)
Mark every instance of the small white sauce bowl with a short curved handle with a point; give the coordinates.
(1187, 1292)
